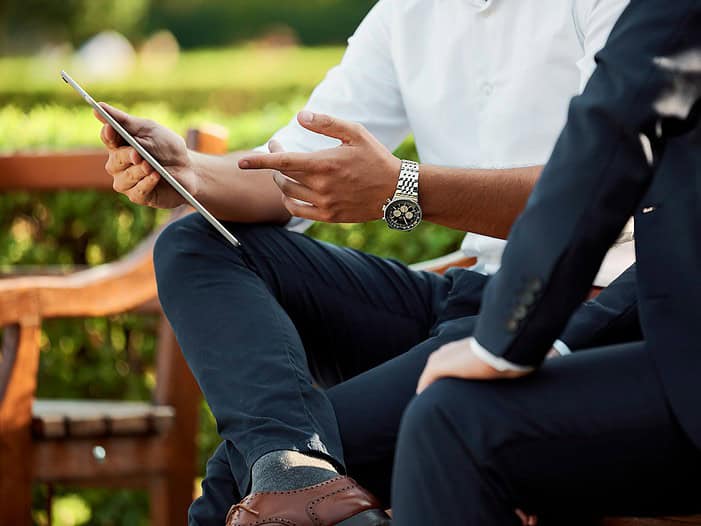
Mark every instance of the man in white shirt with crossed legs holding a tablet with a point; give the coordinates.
(482, 85)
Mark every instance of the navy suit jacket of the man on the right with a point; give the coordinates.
(631, 146)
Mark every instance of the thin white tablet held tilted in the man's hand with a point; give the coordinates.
(151, 160)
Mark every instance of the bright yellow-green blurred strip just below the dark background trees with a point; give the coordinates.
(230, 80)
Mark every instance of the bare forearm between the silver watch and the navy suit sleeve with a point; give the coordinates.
(476, 200)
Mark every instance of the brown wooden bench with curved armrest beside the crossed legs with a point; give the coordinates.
(89, 442)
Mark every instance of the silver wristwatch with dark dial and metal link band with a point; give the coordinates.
(402, 211)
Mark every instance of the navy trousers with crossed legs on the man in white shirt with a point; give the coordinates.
(302, 345)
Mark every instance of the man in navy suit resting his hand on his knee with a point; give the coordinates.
(615, 430)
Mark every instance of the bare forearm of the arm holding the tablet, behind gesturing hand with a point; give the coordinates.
(232, 194)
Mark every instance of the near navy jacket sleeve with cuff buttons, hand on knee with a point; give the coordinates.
(599, 171)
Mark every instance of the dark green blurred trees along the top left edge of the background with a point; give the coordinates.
(26, 25)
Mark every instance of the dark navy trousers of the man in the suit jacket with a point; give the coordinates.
(588, 433)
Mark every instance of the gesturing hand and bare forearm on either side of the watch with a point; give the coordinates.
(351, 182)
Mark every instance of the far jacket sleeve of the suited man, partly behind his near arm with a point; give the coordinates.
(610, 318)
